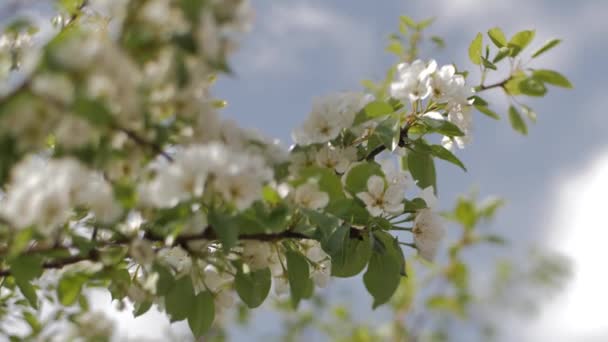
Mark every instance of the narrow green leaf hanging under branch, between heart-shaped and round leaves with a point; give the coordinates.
(298, 276)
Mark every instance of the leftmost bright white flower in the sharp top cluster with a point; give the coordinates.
(413, 80)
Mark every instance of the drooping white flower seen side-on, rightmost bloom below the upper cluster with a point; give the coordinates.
(428, 232)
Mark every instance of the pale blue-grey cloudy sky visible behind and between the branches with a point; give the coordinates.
(554, 181)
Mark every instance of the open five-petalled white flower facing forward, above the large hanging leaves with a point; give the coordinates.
(379, 200)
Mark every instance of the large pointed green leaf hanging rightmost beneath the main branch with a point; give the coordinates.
(384, 269)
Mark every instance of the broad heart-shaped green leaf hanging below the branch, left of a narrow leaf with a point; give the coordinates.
(252, 286)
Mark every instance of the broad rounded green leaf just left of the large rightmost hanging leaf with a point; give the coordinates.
(349, 255)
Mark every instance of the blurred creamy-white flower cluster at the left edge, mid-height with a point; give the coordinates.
(43, 194)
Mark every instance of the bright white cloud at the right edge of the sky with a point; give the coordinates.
(579, 231)
